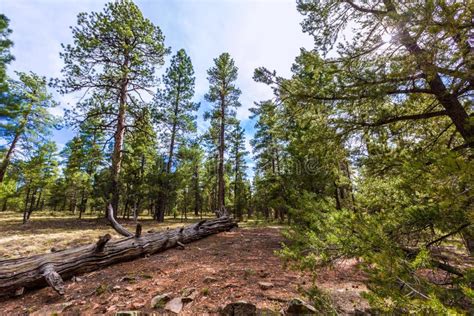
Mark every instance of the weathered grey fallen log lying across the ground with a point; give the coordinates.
(51, 269)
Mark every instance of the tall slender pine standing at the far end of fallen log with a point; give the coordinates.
(225, 95)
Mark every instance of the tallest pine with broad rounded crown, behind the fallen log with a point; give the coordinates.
(114, 56)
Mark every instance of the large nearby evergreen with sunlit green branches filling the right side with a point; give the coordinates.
(389, 183)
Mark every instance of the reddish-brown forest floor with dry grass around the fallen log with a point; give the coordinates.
(223, 268)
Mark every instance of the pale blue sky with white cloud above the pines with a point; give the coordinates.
(255, 32)
